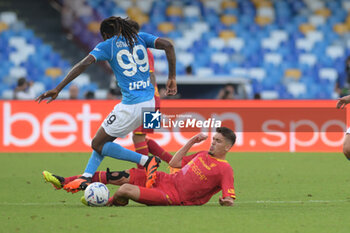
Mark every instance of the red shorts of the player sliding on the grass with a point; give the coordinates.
(162, 193)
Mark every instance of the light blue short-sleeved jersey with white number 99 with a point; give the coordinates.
(131, 68)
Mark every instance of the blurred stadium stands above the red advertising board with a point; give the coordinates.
(268, 49)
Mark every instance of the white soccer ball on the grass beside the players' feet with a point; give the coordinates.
(96, 194)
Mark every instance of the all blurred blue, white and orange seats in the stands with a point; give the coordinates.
(264, 41)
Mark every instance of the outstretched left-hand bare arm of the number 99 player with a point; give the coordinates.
(72, 74)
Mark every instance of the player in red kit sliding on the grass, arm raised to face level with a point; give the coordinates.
(202, 175)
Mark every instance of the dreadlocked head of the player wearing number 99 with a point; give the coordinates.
(117, 26)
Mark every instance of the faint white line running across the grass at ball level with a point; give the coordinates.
(212, 202)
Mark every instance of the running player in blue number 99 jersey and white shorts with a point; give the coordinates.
(126, 52)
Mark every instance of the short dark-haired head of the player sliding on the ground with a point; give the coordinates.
(222, 142)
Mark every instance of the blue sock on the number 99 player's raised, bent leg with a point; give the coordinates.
(118, 152)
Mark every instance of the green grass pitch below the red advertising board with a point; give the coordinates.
(276, 192)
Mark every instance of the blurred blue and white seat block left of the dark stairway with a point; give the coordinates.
(25, 55)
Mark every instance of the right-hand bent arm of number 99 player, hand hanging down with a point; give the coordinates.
(170, 55)
